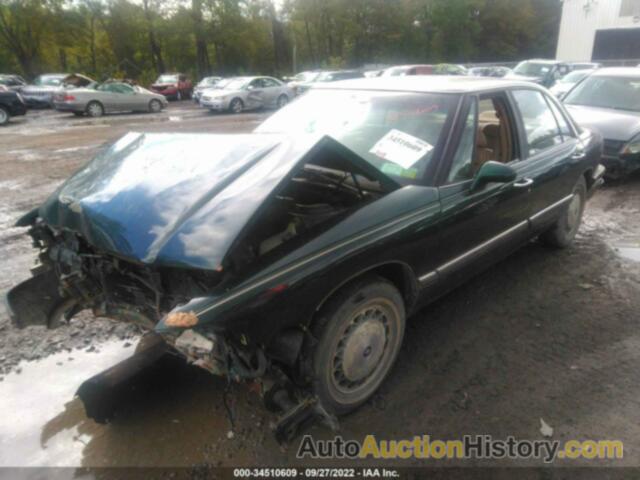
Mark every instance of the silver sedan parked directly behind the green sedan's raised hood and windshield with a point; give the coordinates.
(247, 93)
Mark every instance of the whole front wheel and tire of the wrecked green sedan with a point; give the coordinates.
(364, 320)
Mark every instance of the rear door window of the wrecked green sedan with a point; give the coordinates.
(540, 125)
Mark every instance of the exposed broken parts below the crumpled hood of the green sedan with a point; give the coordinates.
(71, 276)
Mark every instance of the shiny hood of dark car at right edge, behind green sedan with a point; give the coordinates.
(611, 124)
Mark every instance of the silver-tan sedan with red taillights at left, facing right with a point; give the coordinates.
(107, 98)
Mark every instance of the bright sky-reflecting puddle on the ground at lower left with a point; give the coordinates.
(30, 399)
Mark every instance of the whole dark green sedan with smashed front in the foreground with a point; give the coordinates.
(297, 253)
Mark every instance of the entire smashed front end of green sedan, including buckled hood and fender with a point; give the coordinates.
(200, 238)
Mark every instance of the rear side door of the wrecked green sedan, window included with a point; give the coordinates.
(552, 154)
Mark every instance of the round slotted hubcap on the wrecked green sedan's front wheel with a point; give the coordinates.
(361, 349)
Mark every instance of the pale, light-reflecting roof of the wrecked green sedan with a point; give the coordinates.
(428, 84)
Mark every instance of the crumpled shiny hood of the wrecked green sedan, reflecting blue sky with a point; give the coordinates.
(172, 199)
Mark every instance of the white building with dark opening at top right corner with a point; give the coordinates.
(599, 30)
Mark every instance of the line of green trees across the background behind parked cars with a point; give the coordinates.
(141, 38)
